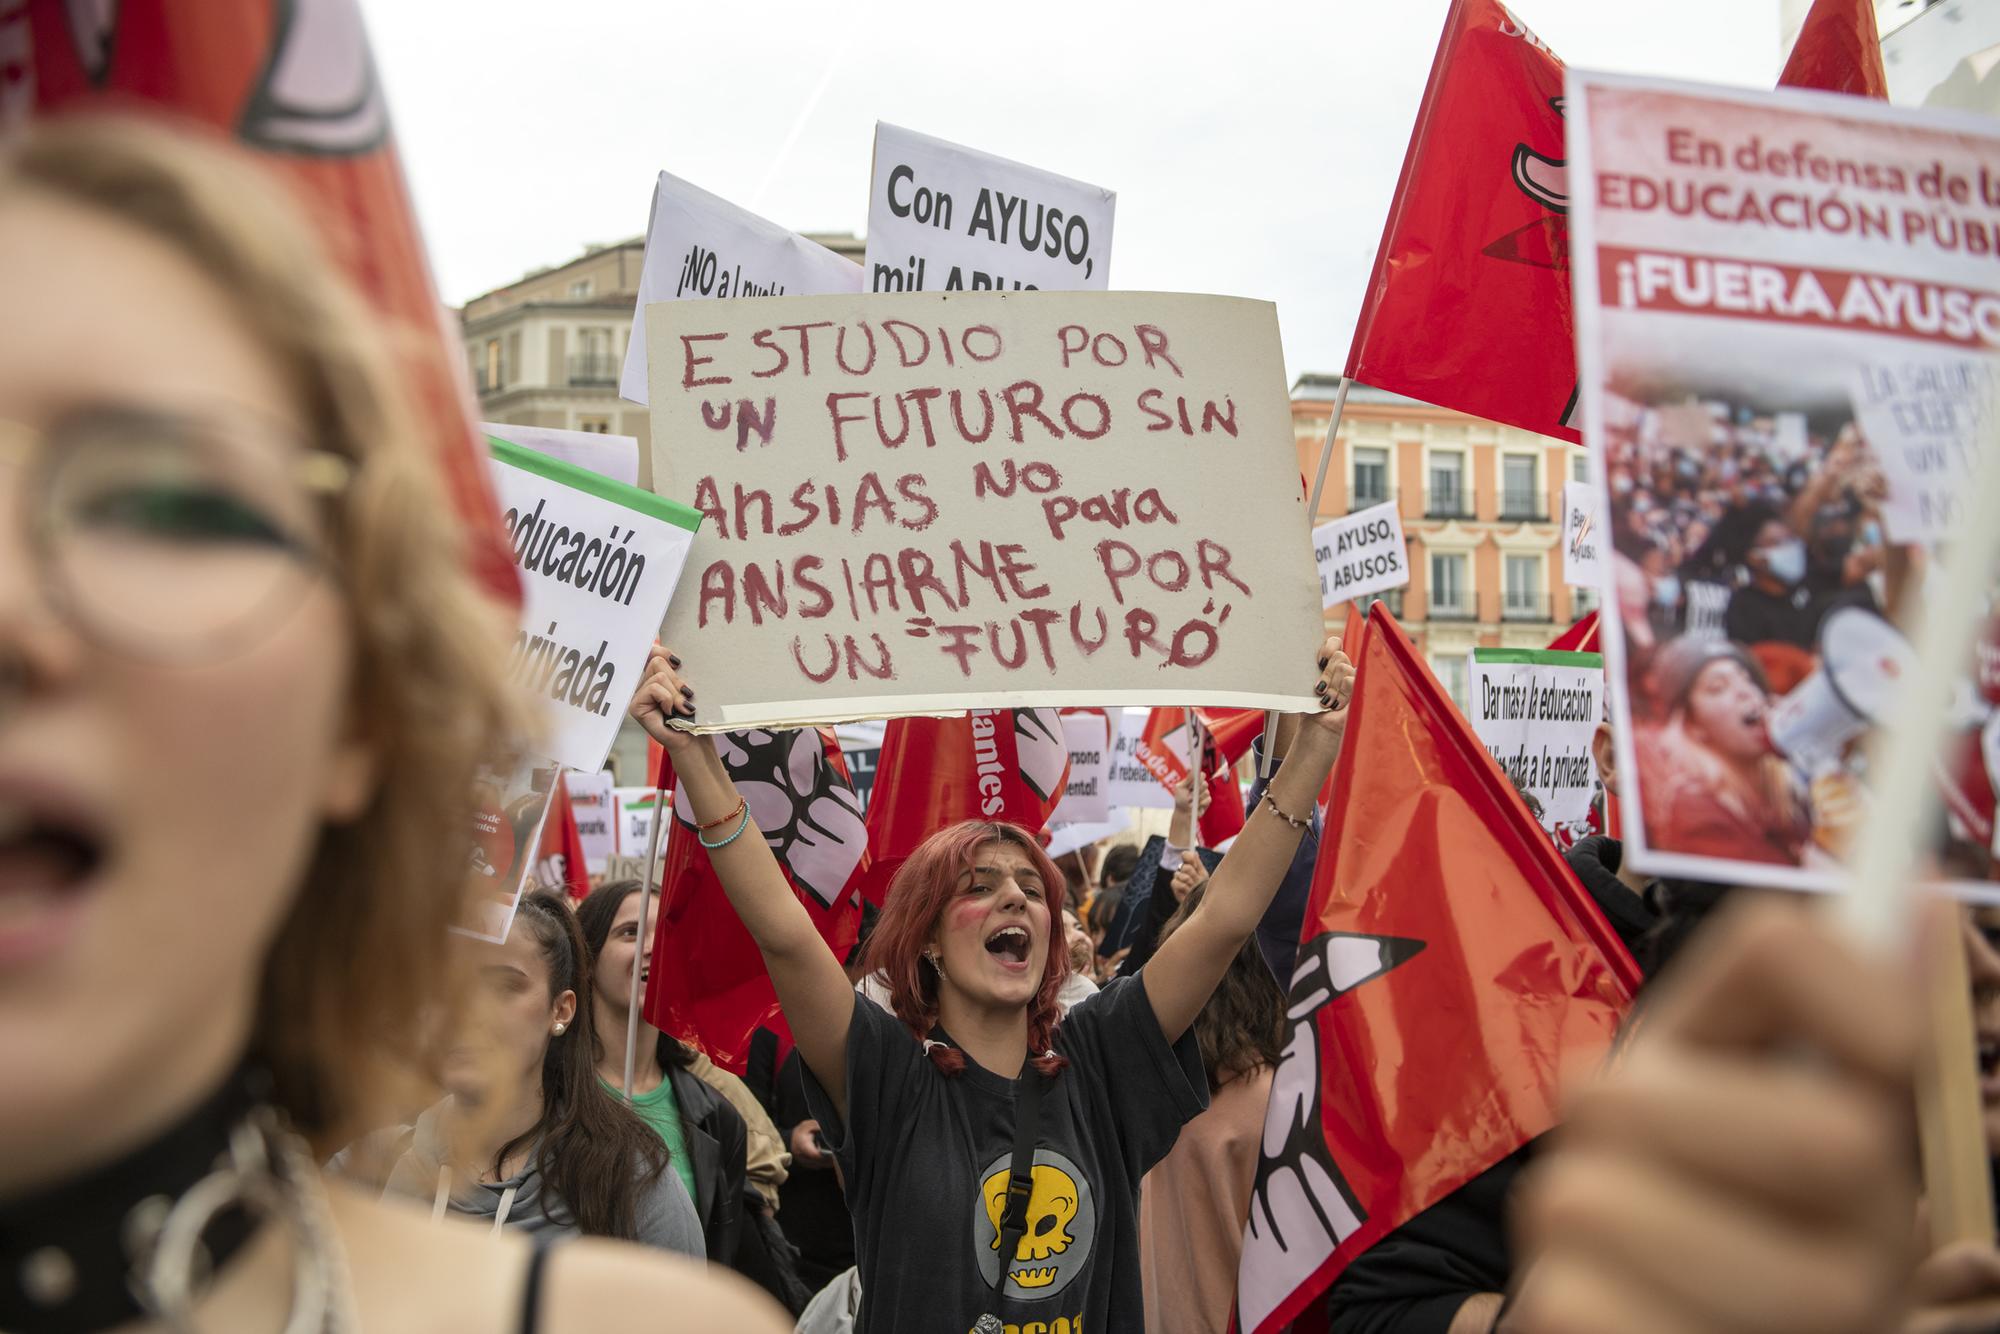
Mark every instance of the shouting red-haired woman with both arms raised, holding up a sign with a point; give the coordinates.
(991, 1147)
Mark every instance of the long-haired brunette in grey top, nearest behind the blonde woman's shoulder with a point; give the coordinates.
(529, 1139)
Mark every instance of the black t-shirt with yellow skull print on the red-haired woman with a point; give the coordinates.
(927, 1161)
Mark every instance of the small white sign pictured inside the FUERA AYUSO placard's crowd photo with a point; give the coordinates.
(1925, 417)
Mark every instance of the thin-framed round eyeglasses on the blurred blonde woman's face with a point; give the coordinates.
(169, 537)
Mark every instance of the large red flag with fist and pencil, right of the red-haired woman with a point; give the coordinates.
(1451, 975)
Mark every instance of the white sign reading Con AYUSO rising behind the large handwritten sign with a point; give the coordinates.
(949, 219)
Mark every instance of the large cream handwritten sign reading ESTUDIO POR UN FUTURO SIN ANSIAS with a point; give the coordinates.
(983, 501)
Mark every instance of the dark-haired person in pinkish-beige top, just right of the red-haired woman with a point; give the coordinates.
(1195, 1203)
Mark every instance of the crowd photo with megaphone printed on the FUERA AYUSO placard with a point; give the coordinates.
(1761, 603)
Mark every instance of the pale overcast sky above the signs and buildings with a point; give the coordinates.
(1253, 145)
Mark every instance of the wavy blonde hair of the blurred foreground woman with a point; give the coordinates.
(357, 963)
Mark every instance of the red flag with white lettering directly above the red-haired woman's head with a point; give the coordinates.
(991, 765)
